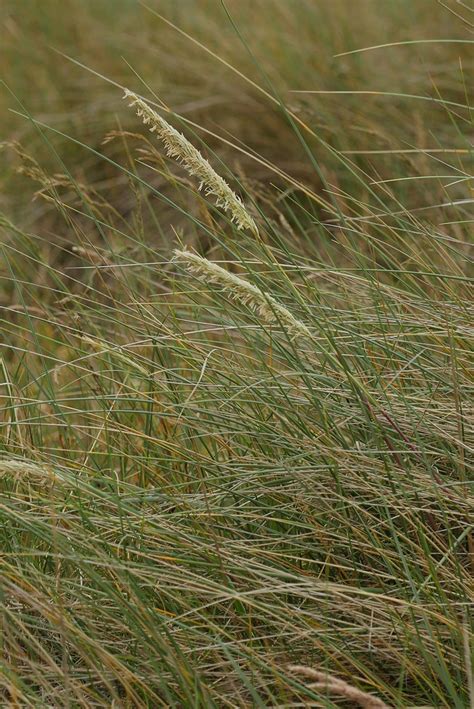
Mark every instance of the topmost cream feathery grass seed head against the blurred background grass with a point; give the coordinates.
(179, 147)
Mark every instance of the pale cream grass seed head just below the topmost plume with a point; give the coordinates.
(240, 290)
